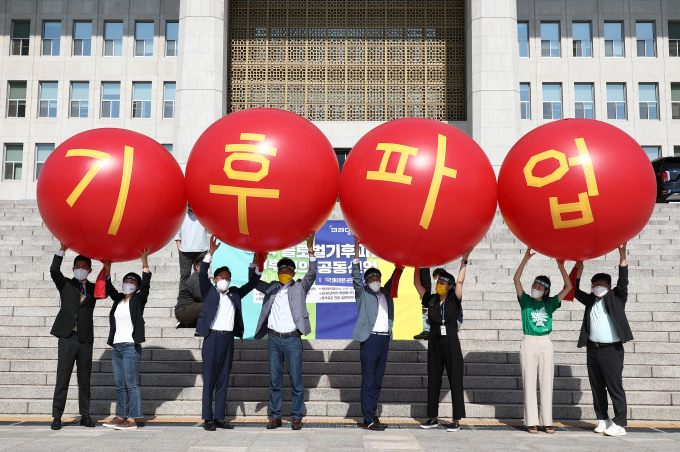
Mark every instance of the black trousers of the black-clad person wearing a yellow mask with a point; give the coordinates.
(443, 352)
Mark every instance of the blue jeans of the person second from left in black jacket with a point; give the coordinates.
(126, 375)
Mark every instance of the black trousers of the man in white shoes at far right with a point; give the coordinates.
(605, 370)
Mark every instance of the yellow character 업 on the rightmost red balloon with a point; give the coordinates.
(557, 209)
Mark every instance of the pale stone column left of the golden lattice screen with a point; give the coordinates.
(201, 94)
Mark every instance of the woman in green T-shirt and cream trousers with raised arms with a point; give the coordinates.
(536, 354)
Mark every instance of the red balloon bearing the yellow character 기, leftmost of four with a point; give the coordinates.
(110, 193)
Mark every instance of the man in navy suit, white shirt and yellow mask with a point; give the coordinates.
(220, 320)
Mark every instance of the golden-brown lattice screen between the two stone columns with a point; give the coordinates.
(348, 60)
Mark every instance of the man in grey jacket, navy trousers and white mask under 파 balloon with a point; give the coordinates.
(374, 331)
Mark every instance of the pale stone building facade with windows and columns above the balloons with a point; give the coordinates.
(496, 69)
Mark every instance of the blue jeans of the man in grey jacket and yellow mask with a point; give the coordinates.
(288, 350)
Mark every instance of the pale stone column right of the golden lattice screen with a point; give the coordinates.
(493, 76)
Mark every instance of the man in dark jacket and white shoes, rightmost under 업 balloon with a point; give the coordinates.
(604, 330)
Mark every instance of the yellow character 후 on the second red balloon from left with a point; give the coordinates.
(246, 152)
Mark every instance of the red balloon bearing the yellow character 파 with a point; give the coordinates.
(418, 192)
